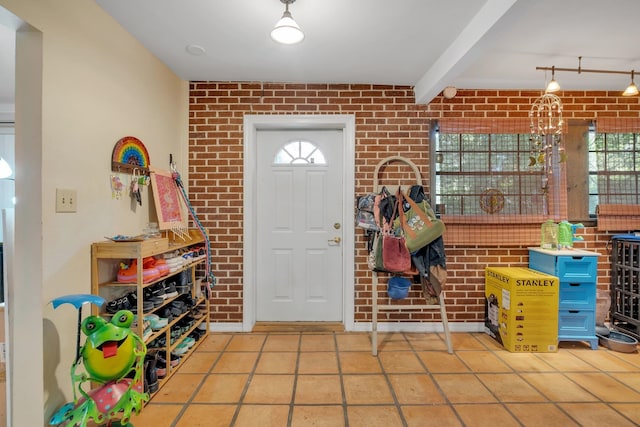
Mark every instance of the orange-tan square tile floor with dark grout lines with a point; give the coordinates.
(331, 379)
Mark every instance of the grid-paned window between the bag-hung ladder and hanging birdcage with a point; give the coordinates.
(472, 170)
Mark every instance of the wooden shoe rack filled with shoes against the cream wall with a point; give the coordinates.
(105, 264)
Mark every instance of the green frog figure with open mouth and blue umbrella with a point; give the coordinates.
(113, 358)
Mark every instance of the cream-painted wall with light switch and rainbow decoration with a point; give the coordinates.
(97, 85)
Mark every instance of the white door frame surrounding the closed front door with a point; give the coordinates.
(254, 123)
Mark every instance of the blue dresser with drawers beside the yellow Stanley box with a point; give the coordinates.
(577, 271)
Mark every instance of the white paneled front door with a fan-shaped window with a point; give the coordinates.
(299, 229)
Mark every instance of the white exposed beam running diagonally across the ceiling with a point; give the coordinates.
(461, 52)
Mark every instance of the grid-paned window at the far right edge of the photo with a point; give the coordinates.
(614, 169)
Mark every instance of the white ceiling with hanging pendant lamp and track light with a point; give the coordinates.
(429, 44)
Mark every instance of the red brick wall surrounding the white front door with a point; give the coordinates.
(388, 122)
